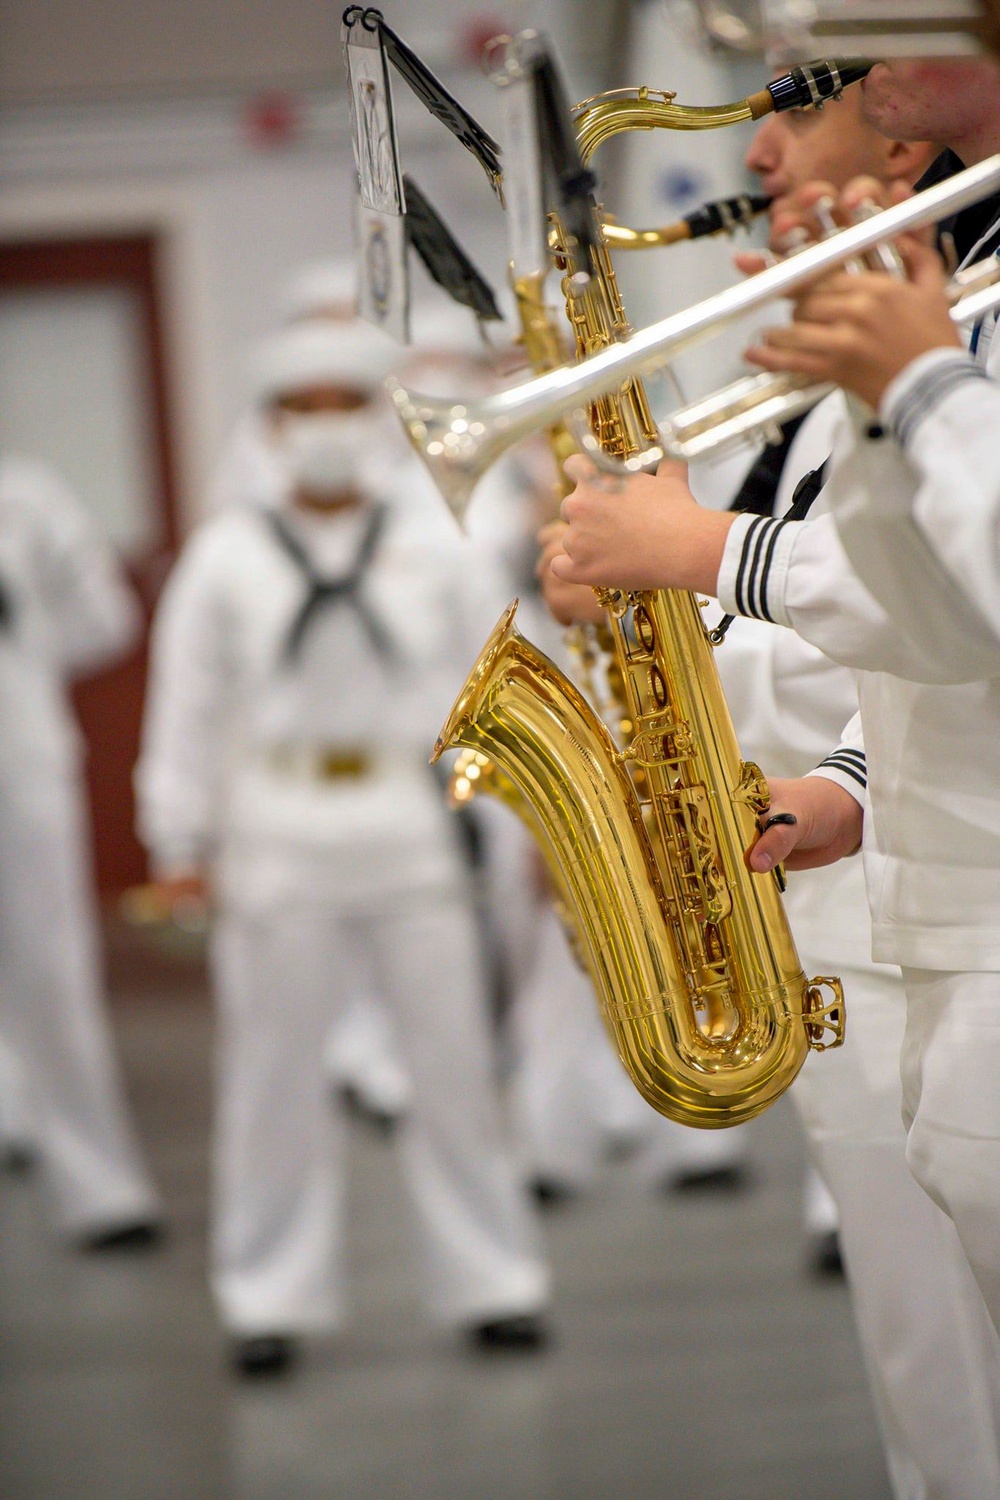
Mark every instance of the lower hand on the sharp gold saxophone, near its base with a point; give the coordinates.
(828, 826)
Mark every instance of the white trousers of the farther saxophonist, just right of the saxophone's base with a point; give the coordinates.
(930, 1349)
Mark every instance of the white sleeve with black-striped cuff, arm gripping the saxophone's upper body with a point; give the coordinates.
(798, 575)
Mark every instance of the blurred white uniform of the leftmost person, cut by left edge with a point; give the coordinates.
(68, 611)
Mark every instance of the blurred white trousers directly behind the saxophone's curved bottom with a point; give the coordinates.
(572, 1094)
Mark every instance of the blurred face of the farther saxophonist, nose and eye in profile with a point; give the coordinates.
(831, 145)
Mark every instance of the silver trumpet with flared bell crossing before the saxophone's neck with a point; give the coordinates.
(460, 442)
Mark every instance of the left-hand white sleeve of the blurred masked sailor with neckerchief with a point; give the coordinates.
(179, 778)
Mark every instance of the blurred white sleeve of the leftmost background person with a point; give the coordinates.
(94, 613)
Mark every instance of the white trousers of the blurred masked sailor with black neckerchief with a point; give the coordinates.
(277, 1247)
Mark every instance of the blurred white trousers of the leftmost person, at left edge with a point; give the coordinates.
(55, 1021)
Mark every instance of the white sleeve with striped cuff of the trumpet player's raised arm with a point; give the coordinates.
(920, 514)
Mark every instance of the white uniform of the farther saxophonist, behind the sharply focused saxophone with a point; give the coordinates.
(929, 1345)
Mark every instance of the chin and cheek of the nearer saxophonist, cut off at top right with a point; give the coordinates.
(930, 100)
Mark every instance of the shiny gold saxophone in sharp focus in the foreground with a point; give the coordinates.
(690, 955)
